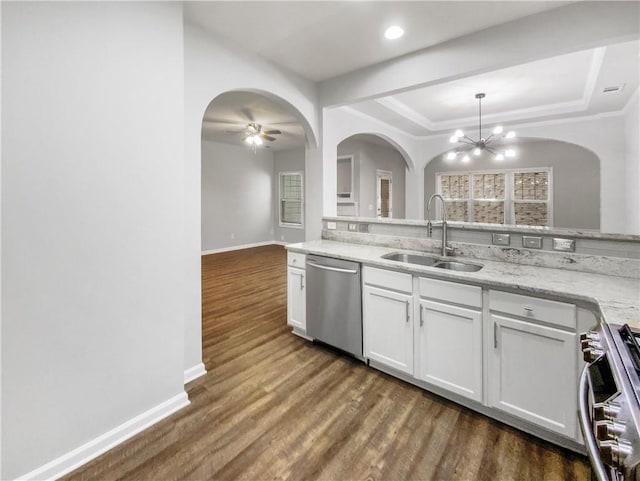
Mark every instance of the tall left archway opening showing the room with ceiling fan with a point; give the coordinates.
(251, 140)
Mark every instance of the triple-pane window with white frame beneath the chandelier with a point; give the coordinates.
(521, 197)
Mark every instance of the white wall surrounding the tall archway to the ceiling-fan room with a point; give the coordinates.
(210, 69)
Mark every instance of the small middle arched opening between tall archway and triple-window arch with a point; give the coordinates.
(371, 177)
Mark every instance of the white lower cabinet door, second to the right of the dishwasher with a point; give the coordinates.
(450, 348)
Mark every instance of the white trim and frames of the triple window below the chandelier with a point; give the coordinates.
(509, 201)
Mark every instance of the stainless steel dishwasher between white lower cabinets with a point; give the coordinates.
(334, 303)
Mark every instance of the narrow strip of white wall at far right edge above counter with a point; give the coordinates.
(632, 164)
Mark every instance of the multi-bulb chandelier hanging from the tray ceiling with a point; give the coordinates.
(492, 144)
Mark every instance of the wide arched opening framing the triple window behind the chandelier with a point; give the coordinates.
(549, 183)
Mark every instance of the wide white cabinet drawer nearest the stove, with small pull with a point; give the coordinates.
(552, 312)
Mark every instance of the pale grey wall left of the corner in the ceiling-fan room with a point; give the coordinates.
(237, 195)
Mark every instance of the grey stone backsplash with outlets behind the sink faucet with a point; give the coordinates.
(609, 254)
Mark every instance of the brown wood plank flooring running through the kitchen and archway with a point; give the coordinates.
(274, 407)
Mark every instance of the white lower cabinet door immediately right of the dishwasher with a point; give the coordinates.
(388, 328)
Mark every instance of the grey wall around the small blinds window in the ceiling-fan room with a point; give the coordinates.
(288, 161)
